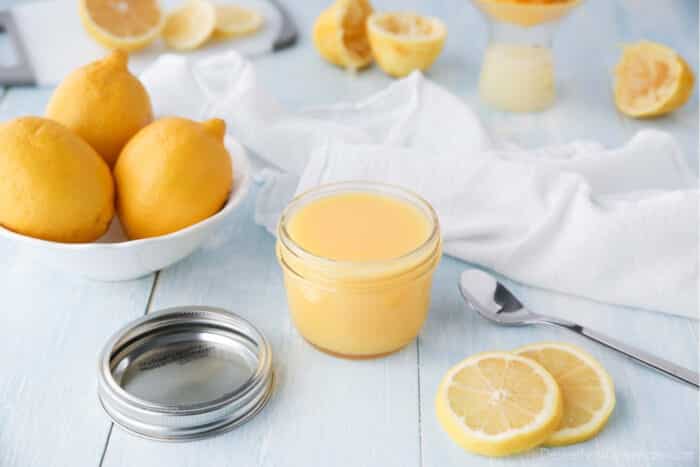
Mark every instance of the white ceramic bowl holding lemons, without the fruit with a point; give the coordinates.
(115, 258)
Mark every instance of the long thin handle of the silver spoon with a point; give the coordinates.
(664, 366)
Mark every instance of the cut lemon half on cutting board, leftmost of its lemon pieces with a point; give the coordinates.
(122, 24)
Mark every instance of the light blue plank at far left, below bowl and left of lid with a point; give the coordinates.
(52, 328)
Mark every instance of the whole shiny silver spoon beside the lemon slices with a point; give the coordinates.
(493, 301)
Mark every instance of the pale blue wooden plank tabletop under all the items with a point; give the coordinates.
(330, 412)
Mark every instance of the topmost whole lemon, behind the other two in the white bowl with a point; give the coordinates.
(103, 103)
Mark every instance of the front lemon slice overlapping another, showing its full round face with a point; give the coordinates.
(498, 403)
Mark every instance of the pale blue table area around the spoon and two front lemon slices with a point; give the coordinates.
(641, 431)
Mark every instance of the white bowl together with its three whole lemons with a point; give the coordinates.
(179, 181)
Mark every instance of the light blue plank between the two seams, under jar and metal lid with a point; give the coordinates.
(325, 411)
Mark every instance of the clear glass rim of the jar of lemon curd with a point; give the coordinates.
(363, 186)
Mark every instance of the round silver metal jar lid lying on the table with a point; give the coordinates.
(185, 373)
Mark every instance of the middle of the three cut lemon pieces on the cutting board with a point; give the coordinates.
(190, 26)
